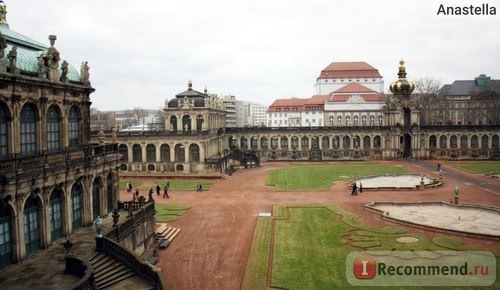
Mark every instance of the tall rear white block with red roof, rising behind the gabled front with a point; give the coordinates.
(338, 74)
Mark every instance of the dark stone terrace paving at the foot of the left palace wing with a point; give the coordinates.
(45, 269)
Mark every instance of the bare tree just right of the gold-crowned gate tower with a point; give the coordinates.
(427, 90)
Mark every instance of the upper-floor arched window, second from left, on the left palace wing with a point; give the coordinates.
(28, 129)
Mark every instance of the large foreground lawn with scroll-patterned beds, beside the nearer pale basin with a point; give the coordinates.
(305, 247)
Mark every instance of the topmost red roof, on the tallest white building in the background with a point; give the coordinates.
(359, 69)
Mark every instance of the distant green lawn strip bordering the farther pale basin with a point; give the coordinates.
(321, 177)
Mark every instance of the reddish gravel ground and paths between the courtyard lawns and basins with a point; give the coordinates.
(212, 249)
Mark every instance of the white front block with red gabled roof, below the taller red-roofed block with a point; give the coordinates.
(354, 105)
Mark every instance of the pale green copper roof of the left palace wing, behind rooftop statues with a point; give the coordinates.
(28, 51)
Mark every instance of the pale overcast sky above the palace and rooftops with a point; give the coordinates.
(143, 52)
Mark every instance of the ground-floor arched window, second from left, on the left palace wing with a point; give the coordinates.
(32, 225)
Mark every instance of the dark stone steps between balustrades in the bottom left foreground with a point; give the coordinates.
(108, 271)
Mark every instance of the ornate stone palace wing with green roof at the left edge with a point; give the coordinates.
(52, 179)
